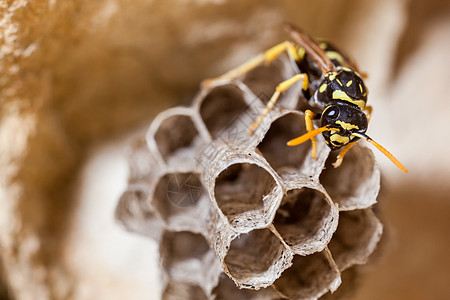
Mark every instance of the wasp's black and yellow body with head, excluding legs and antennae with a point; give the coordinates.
(337, 97)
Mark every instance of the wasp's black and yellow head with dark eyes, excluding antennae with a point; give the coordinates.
(347, 120)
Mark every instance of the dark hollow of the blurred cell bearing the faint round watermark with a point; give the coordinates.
(178, 195)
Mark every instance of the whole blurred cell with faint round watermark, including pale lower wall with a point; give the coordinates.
(182, 202)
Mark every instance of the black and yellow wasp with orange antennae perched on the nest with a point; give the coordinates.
(334, 88)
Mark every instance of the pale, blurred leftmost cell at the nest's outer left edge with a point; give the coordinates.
(135, 213)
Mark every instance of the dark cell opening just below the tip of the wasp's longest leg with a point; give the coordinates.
(221, 108)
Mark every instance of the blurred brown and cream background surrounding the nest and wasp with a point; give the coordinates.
(78, 78)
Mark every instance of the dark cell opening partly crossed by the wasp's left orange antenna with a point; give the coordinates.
(273, 147)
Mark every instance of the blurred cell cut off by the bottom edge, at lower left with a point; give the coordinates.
(182, 290)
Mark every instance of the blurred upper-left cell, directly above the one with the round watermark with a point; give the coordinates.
(177, 138)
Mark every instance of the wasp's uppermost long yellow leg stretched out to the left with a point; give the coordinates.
(267, 57)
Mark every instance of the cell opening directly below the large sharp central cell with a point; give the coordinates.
(251, 255)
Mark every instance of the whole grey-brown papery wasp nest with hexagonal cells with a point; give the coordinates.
(226, 206)
